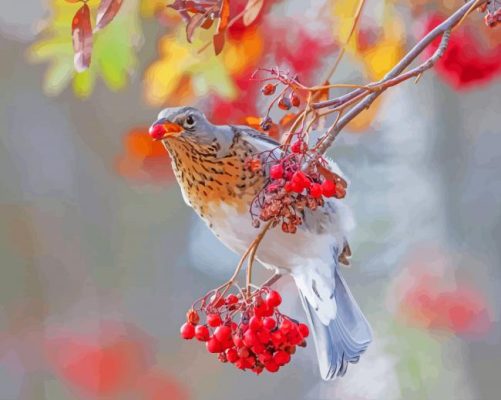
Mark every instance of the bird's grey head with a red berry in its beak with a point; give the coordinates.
(183, 122)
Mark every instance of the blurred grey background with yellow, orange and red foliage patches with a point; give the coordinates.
(101, 258)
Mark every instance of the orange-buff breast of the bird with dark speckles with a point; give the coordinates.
(208, 180)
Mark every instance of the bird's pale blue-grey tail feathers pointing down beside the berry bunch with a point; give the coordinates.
(342, 339)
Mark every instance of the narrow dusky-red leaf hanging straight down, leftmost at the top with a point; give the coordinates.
(81, 30)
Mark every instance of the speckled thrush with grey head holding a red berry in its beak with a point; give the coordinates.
(209, 163)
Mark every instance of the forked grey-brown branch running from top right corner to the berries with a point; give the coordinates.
(393, 77)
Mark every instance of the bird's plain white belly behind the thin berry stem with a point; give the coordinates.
(278, 249)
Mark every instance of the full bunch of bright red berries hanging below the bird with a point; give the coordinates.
(262, 339)
